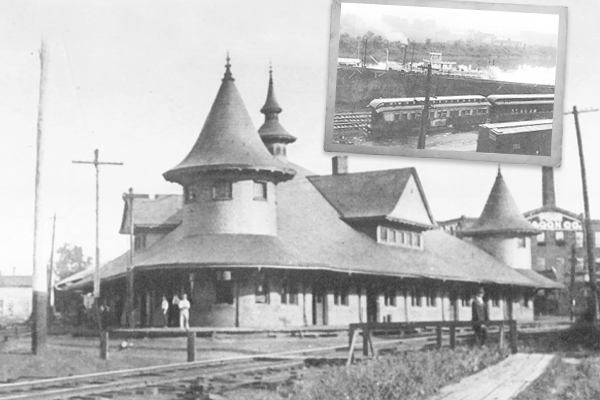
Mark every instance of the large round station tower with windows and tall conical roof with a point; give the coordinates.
(229, 176)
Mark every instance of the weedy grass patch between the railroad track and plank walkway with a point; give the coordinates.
(410, 375)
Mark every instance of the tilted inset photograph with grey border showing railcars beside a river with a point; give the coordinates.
(460, 80)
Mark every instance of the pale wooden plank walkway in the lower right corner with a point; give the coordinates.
(502, 381)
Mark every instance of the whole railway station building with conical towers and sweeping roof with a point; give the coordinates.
(257, 241)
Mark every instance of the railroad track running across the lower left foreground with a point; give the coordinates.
(224, 373)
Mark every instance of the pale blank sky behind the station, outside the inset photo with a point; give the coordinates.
(136, 79)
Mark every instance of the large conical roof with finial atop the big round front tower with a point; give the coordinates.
(229, 142)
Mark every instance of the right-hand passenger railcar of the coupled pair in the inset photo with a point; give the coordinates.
(520, 107)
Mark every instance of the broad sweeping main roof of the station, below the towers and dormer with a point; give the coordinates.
(311, 235)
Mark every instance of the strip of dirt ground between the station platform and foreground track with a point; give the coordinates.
(66, 355)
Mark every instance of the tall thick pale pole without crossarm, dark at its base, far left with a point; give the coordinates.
(39, 328)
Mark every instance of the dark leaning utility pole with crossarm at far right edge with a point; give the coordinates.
(589, 233)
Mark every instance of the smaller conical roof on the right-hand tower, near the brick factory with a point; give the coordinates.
(501, 216)
